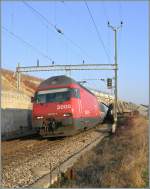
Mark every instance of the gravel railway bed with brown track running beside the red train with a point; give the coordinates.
(22, 157)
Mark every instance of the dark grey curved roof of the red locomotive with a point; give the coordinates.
(61, 80)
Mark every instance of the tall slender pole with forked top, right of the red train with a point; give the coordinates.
(115, 29)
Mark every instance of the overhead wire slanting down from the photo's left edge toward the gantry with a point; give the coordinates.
(26, 43)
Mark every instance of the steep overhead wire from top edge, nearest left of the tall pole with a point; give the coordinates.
(97, 31)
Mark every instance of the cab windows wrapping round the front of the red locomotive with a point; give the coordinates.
(56, 95)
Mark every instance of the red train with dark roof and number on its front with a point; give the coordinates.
(64, 107)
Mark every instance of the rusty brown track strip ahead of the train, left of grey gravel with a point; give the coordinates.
(16, 149)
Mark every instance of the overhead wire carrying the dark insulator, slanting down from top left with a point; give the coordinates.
(58, 30)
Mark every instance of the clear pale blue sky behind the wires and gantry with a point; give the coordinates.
(21, 24)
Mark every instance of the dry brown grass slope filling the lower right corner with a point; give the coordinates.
(120, 160)
